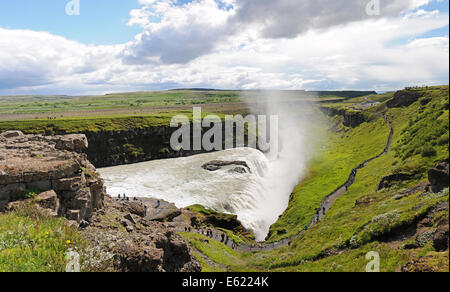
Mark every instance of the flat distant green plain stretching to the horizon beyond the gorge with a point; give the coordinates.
(145, 103)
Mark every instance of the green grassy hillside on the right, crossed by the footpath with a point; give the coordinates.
(396, 222)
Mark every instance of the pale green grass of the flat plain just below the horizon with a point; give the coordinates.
(54, 105)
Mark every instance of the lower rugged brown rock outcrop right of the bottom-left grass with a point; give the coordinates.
(139, 244)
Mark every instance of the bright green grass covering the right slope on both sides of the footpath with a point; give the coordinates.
(364, 213)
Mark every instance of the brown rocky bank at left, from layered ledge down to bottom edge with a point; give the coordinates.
(54, 175)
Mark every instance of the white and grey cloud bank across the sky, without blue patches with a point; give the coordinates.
(189, 46)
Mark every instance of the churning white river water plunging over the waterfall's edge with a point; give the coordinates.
(184, 182)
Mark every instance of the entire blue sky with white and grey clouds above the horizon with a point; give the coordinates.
(47, 47)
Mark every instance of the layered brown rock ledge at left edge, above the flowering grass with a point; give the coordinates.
(47, 166)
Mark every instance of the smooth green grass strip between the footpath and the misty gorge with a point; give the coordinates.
(343, 152)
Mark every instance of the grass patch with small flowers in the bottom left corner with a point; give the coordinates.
(33, 242)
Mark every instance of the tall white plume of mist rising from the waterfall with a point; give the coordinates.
(298, 136)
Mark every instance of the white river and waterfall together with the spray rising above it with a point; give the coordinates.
(258, 198)
